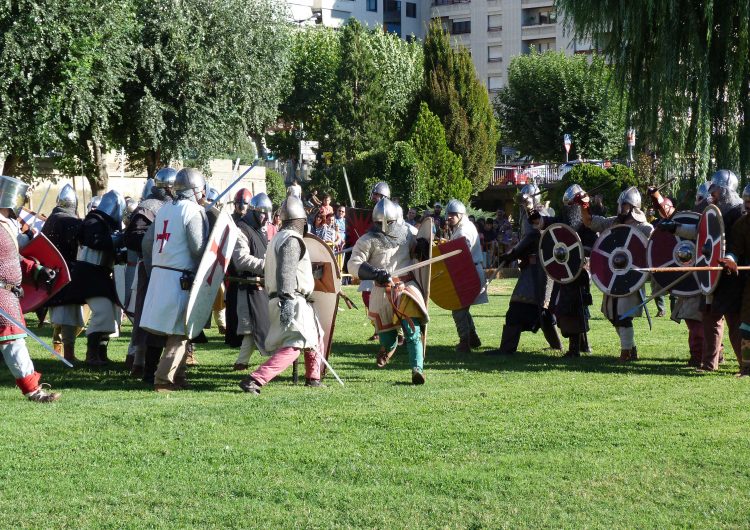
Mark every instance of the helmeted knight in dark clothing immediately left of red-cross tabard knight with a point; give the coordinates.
(145, 349)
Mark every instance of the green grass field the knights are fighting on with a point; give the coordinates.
(531, 441)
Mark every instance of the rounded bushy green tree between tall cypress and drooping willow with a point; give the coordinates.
(551, 94)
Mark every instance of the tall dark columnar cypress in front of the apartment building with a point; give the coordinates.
(460, 100)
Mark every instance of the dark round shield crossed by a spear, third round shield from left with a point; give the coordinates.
(670, 250)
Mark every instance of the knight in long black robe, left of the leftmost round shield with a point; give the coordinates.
(527, 311)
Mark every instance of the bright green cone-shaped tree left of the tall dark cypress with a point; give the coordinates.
(443, 171)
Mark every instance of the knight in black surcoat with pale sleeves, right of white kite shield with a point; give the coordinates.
(248, 260)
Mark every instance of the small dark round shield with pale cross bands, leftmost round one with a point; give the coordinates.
(561, 252)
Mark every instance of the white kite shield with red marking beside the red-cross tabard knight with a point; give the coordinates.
(210, 273)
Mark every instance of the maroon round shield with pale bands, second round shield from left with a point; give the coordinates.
(616, 252)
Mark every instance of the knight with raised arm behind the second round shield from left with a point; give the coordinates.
(629, 213)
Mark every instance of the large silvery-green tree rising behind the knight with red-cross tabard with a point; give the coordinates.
(208, 73)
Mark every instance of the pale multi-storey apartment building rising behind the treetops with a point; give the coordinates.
(494, 31)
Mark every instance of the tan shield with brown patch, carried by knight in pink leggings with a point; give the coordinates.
(325, 297)
